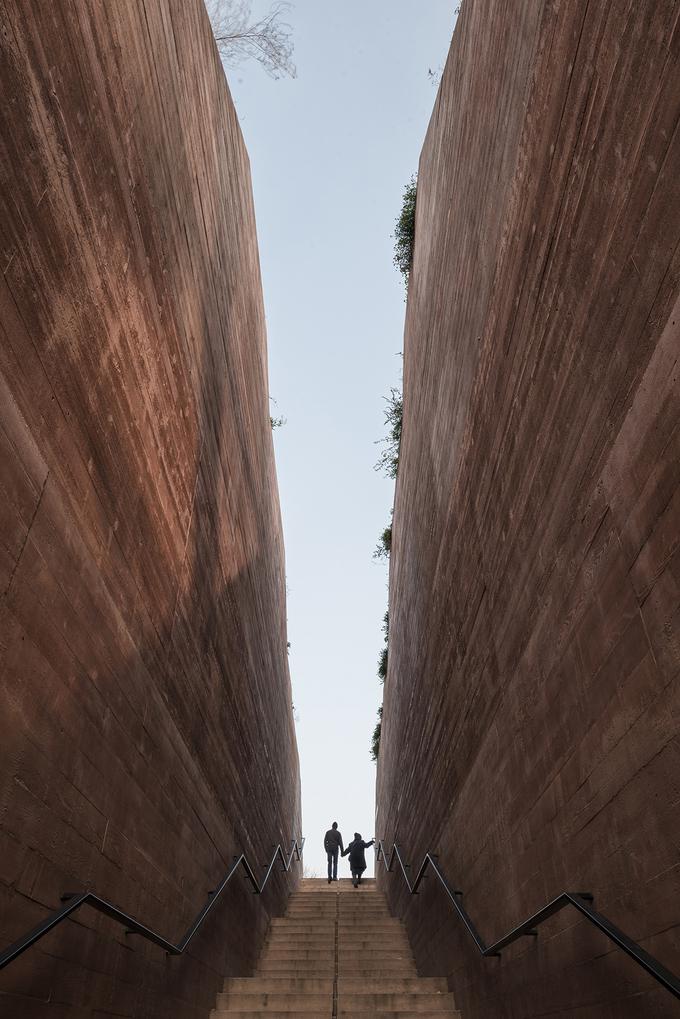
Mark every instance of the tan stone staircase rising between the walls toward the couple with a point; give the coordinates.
(338, 952)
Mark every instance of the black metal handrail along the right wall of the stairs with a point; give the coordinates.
(582, 901)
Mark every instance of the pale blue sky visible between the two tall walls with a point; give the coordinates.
(331, 153)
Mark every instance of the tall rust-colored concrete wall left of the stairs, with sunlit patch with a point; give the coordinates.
(146, 732)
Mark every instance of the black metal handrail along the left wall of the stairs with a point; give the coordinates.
(74, 901)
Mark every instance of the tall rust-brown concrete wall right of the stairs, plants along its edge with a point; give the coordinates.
(533, 705)
